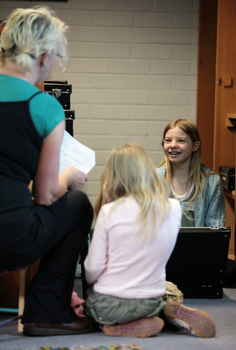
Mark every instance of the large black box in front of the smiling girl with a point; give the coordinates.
(198, 262)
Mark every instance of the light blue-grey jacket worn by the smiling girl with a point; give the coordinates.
(210, 209)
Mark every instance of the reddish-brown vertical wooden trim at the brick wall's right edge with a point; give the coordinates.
(206, 77)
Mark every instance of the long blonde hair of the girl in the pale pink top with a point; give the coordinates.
(129, 171)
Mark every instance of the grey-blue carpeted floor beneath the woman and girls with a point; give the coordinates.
(223, 312)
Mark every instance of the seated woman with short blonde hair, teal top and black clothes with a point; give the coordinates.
(32, 123)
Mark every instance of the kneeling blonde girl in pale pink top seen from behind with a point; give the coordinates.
(135, 233)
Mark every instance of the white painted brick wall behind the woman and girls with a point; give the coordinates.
(133, 68)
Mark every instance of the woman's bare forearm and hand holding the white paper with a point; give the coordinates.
(48, 186)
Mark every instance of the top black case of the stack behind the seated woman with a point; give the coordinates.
(60, 90)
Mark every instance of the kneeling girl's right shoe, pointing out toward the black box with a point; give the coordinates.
(193, 321)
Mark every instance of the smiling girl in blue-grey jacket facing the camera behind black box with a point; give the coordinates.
(198, 188)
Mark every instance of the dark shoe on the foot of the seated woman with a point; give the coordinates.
(80, 326)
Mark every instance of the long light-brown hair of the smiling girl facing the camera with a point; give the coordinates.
(197, 175)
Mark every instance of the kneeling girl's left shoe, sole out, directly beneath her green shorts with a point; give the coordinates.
(145, 327)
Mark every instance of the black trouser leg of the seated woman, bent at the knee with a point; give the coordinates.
(49, 292)
